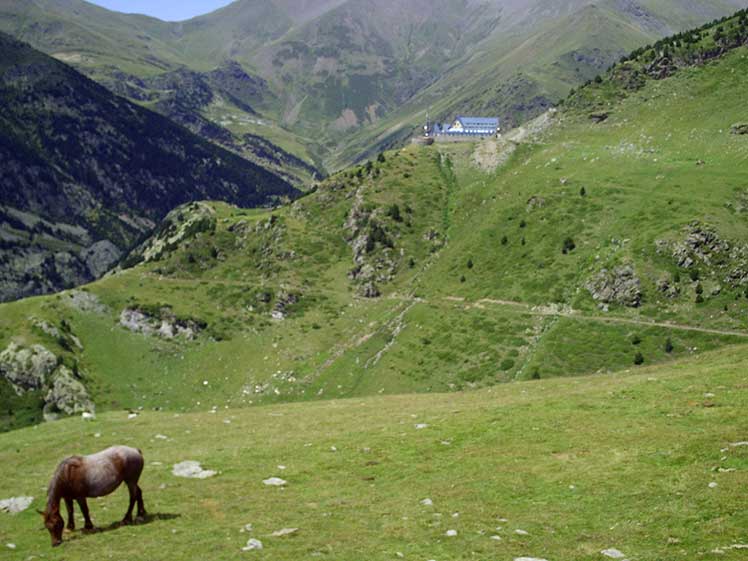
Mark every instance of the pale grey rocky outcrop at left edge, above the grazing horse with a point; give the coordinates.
(35, 368)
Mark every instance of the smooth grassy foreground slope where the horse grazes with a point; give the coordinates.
(627, 462)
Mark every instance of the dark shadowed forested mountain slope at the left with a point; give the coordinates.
(85, 174)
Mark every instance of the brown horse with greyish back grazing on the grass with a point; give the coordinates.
(97, 475)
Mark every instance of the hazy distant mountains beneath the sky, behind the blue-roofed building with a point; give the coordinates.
(343, 79)
